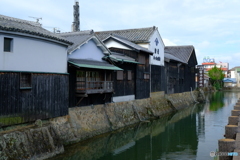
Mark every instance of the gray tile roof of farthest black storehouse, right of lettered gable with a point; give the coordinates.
(181, 52)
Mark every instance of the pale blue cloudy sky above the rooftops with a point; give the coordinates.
(211, 26)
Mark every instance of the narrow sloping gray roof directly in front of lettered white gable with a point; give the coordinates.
(128, 43)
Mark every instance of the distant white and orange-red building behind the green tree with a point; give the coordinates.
(209, 63)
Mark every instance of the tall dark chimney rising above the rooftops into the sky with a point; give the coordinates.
(76, 22)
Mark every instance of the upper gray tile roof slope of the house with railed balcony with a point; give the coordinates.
(78, 38)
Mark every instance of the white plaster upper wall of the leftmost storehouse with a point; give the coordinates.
(33, 55)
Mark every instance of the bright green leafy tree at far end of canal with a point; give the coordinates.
(216, 76)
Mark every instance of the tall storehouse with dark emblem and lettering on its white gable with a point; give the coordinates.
(150, 39)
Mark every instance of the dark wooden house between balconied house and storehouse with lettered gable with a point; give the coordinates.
(134, 81)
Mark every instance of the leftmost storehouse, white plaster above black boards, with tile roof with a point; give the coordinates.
(33, 72)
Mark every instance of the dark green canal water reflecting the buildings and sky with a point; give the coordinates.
(188, 134)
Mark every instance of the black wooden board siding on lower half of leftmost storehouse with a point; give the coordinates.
(48, 98)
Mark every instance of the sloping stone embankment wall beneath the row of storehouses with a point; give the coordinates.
(85, 122)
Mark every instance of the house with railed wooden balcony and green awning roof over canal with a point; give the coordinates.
(91, 77)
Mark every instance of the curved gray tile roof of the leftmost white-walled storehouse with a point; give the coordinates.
(11, 24)
